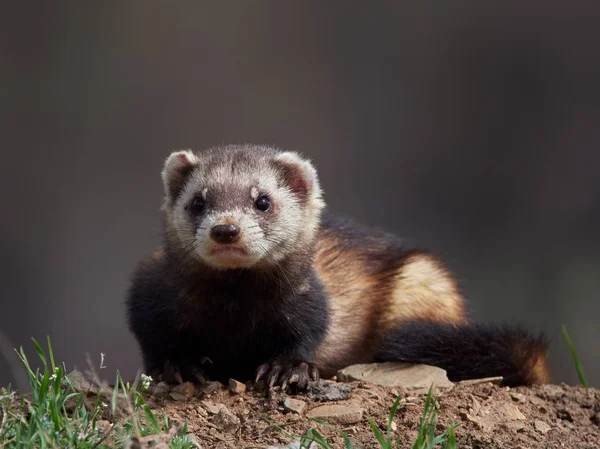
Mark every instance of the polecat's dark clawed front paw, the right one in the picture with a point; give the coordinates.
(287, 373)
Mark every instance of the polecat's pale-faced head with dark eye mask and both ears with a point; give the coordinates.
(241, 206)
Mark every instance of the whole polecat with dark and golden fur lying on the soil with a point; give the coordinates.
(254, 281)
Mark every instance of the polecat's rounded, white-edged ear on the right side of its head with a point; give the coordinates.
(299, 174)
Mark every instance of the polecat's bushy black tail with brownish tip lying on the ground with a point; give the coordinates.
(471, 351)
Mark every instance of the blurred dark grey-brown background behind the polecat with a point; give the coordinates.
(470, 126)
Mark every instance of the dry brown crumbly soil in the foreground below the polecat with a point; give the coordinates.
(490, 416)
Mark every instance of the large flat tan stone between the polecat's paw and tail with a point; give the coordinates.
(393, 374)
